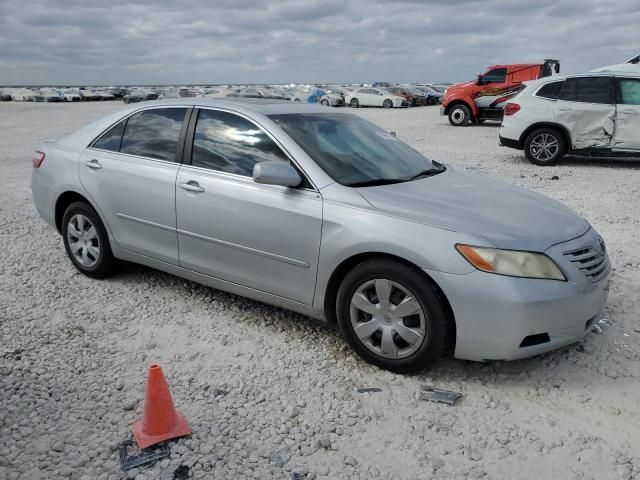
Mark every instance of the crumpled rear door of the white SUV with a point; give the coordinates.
(586, 107)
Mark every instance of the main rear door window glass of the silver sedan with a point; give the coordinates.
(154, 133)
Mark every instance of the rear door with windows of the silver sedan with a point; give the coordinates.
(130, 173)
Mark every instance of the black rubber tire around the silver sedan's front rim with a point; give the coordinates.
(436, 339)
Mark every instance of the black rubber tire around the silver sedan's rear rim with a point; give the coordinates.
(105, 260)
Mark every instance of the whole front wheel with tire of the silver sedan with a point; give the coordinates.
(391, 316)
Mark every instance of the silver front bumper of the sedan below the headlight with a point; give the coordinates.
(494, 314)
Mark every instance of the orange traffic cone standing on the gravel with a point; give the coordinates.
(160, 421)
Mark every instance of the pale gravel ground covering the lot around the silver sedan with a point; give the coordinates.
(262, 387)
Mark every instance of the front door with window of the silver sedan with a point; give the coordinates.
(264, 237)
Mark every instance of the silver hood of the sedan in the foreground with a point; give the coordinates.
(507, 216)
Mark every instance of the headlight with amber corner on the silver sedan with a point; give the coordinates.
(513, 263)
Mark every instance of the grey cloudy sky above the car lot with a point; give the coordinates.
(88, 42)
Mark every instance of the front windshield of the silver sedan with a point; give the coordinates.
(353, 151)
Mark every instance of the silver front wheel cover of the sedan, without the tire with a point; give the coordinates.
(388, 319)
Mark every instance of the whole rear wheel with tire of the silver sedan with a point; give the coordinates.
(86, 241)
